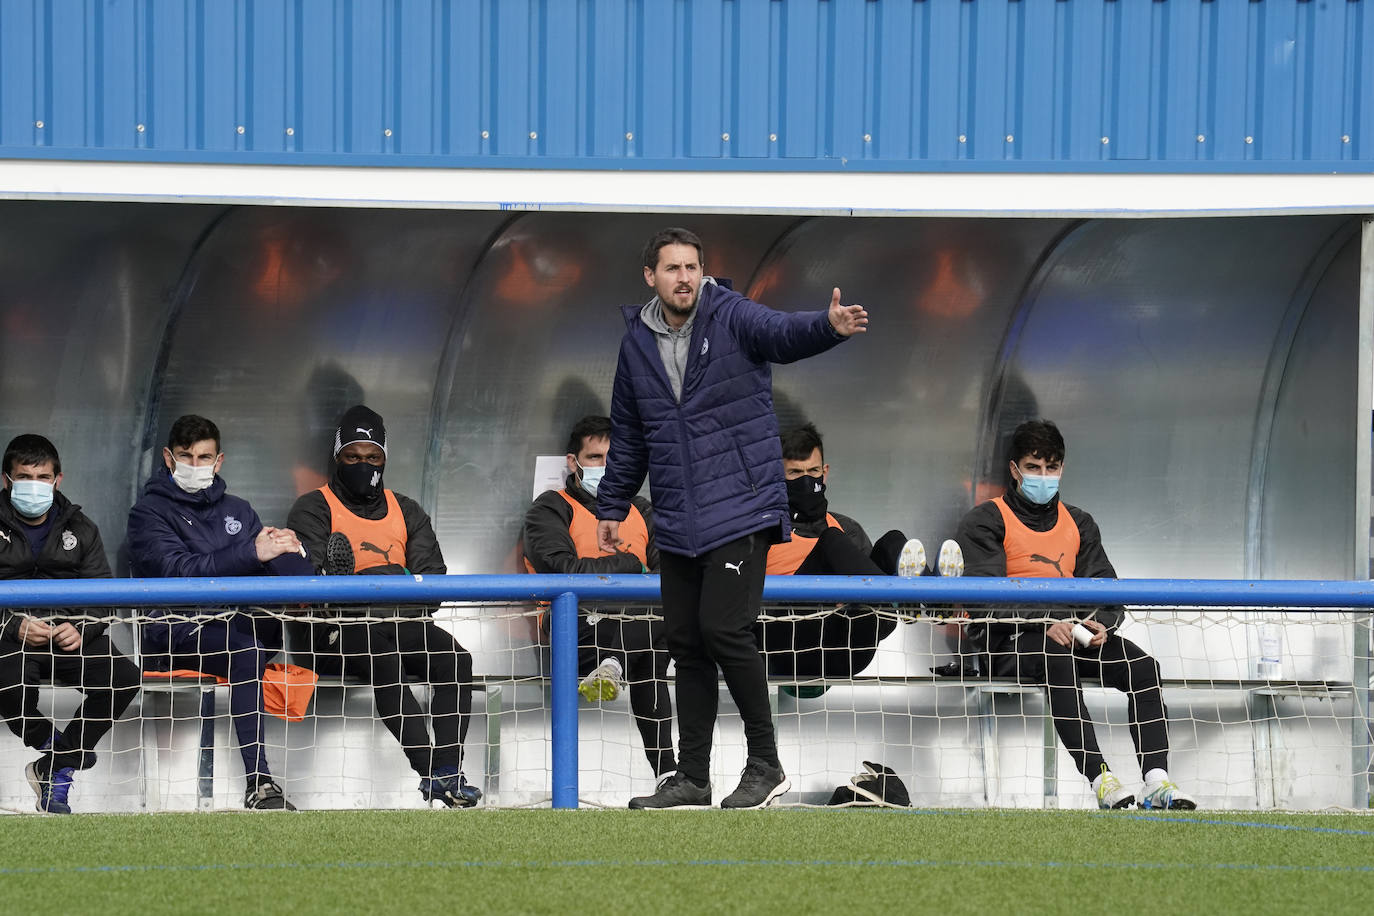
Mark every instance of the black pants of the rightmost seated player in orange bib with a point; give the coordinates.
(1119, 664)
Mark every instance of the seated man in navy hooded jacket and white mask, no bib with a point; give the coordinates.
(188, 525)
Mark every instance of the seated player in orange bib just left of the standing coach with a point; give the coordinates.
(560, 536)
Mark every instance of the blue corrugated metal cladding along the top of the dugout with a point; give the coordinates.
(684, 84)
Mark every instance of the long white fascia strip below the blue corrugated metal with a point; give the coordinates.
(695, 192)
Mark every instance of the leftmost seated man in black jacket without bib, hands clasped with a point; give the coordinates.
(47, 538)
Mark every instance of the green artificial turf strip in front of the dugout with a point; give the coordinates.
(629, 863)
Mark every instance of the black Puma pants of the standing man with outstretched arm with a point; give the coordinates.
(711, 606)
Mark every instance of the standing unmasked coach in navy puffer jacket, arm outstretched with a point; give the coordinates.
(693, 411)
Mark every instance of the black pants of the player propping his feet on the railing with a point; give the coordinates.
(843, 643)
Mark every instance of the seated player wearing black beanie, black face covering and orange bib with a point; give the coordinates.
(355, 525)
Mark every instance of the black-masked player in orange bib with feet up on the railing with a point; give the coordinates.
(825, 543)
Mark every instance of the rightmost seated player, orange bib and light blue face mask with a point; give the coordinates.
(1033, 534)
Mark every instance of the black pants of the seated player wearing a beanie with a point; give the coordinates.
(384, 656)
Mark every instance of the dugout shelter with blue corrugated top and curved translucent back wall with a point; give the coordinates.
(1149, 222)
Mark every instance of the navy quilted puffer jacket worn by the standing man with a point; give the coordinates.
(714, 461)
